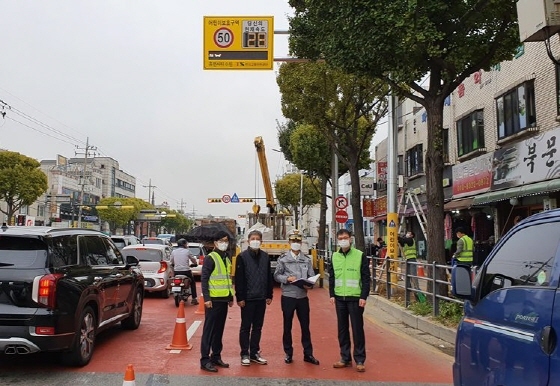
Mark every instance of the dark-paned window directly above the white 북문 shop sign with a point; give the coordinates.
(516, 110)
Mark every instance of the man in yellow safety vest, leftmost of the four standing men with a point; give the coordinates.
(217, 290)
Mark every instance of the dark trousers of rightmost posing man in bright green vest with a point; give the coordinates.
(351, 310)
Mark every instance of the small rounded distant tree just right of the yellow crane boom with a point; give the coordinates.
(289, 188)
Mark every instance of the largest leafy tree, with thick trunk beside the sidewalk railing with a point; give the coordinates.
(403, 41)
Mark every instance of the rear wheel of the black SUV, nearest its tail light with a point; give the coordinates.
(84, 342)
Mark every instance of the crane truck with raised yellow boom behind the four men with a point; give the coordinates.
(274, 241)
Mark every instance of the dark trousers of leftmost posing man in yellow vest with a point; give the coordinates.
(213, 331)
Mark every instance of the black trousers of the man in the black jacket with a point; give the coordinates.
(252, 319)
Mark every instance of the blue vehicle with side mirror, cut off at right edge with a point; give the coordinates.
(508, 335)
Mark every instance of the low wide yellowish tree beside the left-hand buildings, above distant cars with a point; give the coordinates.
(116, 216)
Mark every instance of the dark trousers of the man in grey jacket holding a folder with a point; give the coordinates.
(301, 308)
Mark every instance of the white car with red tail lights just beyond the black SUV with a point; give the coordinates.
(154, 262)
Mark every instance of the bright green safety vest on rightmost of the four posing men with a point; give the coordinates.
(347, 273)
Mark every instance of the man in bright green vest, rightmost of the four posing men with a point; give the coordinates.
(349, 284)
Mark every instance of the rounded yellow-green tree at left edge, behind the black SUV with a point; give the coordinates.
(21, 181)
